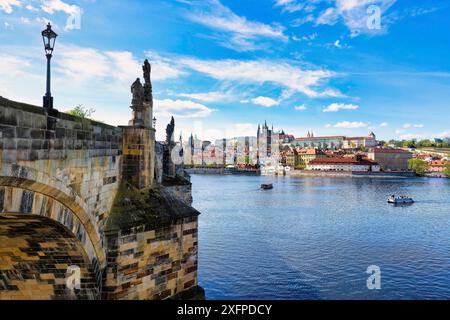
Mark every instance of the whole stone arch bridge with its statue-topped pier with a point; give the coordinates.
(92, 190)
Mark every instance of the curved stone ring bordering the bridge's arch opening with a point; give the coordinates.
(71, 211)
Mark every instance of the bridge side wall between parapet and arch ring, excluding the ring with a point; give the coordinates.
(82, 154)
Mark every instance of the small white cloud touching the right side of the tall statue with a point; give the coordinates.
(181, 109)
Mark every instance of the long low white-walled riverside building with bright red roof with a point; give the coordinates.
(353, 164)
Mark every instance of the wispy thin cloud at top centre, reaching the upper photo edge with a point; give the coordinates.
(243, 32)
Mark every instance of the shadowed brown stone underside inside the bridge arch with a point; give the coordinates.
(39, 256)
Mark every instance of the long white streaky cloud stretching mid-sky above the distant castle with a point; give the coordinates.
(263, 71)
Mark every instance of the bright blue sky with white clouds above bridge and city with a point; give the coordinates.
(222, 67)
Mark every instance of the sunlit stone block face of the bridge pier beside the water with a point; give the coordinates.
(155, 264)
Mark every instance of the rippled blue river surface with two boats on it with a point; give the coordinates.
(314, 238)
